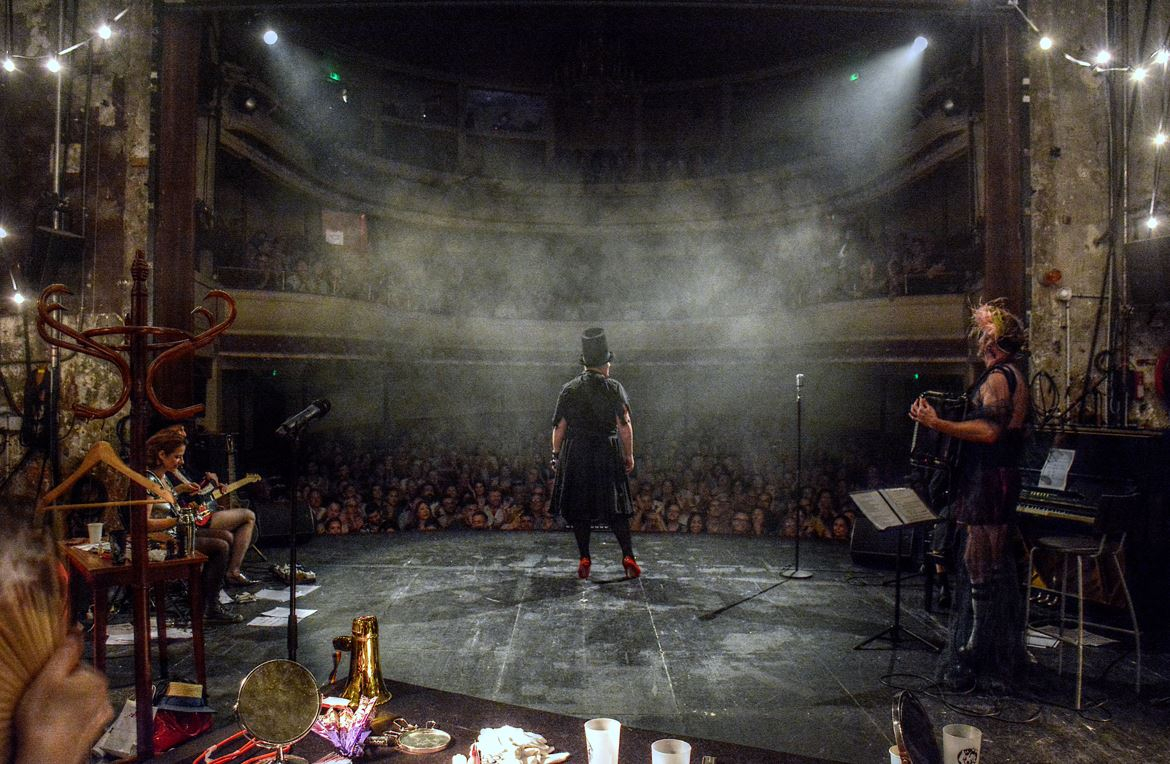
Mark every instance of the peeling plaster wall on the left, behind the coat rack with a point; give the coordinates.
(112, 215)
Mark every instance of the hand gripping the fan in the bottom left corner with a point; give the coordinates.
(64, 712)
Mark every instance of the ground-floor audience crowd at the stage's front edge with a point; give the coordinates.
(437, 477)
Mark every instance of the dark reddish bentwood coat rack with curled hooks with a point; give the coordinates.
(139, 352)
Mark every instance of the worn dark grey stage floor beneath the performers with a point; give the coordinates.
(504, 617)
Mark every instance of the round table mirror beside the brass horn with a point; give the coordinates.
(278, 704)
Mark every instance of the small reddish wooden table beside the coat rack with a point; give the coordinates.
(102, 574)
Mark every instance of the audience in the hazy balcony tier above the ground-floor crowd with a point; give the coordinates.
(815, 261)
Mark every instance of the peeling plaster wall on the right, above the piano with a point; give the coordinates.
(1070, 203)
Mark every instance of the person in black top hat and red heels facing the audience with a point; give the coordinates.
(594, 452)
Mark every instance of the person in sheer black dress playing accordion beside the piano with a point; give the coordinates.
(987, 642)
